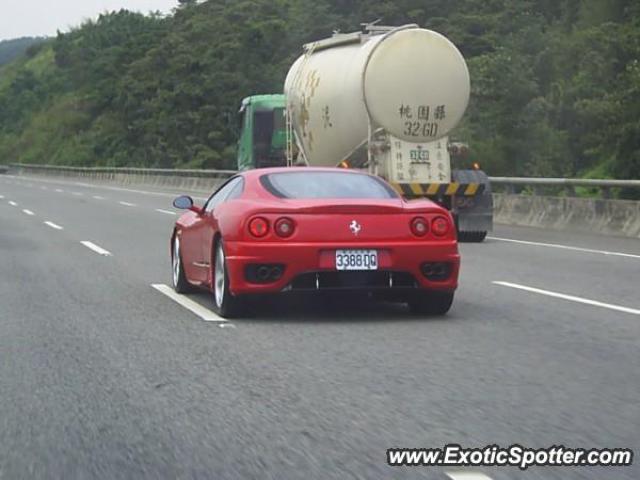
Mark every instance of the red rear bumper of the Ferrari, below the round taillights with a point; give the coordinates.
(302, 259)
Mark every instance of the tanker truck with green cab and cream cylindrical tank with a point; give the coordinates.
(382, 99)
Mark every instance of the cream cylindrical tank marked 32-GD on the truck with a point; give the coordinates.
(412, 82)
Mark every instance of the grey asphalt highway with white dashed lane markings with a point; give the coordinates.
(103, 376)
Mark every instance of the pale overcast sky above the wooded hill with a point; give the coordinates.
(33, 18)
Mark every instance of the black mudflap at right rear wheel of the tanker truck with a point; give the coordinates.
(473, 214)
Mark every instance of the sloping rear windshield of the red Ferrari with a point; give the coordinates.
(326, 185)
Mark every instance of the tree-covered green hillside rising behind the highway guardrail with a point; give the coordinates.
(556, 84)
